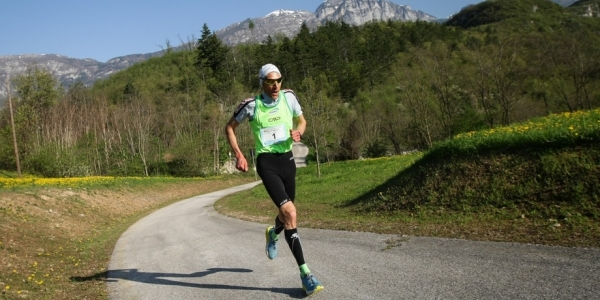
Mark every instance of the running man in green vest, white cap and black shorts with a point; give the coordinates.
(271, 115)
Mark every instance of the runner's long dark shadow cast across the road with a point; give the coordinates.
(161, 278)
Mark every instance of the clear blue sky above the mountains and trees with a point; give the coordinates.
(110, 28)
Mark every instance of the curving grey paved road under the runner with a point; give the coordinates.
(188, 251)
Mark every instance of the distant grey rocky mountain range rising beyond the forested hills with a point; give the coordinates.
(277, 23)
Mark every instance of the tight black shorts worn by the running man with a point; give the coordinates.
(278, 173)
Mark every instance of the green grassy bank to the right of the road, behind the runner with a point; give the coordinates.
(535, 182)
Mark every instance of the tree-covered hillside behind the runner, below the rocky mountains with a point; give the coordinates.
(367, 91)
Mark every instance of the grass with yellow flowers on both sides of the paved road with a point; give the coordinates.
(536, 182)
